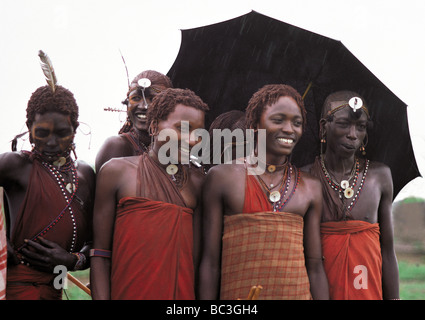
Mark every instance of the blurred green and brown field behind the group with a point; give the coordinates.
(409, 234)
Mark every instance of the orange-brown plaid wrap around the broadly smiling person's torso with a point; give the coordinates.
(264, 249)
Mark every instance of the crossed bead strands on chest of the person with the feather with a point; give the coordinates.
(57, 169)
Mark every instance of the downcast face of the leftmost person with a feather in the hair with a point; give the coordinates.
(52, 133)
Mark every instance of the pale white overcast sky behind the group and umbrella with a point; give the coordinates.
(85, 40)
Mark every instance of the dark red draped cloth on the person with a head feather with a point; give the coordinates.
(43, 203)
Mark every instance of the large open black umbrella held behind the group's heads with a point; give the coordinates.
(225, 63)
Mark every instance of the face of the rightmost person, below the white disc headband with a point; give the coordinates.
(345, 133)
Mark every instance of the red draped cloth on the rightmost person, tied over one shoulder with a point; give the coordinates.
(351, 248)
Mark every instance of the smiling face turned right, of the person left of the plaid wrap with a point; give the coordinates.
(175, 121)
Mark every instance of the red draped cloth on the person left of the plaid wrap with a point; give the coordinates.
(153, 240)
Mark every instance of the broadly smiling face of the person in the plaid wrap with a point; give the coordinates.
(283, 122)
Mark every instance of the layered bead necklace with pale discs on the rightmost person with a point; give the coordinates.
(344, 190)
